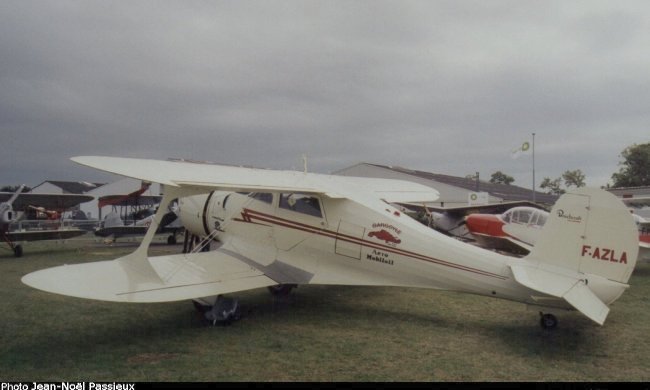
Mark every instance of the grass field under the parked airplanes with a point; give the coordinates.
(319, 333)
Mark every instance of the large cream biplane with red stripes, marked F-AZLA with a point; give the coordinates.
(280, 228)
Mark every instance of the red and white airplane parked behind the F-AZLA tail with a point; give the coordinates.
(518, 229)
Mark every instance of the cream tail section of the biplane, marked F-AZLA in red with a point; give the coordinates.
(585, 254)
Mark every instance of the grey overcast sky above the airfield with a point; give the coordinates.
(443, 86)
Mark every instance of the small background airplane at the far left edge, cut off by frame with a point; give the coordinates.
(36, 217)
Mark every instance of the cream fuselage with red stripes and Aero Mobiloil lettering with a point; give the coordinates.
(337, 241)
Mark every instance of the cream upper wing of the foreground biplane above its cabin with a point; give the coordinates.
(211, 176)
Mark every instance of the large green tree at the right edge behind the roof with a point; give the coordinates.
(635, 167)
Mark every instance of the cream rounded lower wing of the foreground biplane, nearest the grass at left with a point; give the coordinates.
(179, 277)
